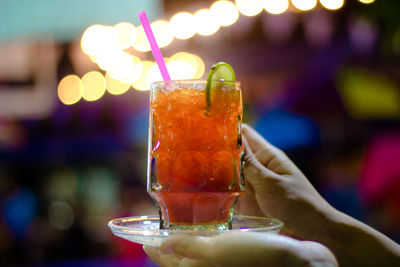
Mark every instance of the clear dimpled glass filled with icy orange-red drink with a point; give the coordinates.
(195, 154)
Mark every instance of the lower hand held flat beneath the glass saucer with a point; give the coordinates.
(240, 249)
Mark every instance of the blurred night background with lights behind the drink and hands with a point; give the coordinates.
(320, 80)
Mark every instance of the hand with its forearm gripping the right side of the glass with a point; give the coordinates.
(275, 187)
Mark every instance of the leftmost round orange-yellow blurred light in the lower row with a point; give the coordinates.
(70, 89)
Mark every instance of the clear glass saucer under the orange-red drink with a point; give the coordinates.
(146, 230)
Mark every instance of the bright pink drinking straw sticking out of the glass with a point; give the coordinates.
(154, 47)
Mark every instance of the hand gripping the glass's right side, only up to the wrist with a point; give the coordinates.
(276, 188)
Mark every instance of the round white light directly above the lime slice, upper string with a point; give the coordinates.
(225, 12)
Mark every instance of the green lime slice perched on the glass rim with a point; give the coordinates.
(219, 73)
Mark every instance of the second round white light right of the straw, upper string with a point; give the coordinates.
(181, 25)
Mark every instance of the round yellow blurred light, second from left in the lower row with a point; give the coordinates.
(94, 85)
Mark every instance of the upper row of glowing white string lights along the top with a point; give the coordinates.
(183, 25)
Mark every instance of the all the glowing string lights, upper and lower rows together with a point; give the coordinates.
(105, 46)
